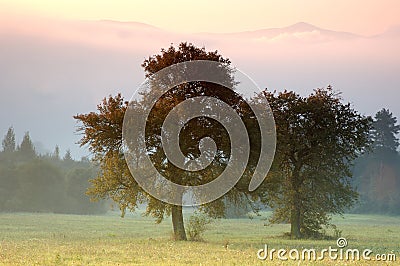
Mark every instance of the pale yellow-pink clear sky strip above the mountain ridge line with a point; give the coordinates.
(366, 17)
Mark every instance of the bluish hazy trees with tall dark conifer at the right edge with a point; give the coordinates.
(377, 173)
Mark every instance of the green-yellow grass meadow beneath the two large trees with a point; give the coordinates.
(51, 239)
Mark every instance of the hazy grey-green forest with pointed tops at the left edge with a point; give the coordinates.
(30, 182)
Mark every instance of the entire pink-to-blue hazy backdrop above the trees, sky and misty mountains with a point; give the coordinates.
(60, 58)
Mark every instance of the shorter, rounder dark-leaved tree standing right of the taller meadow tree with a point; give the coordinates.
(317, 139)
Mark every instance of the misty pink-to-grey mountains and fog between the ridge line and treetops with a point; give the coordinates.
(52, 69)
